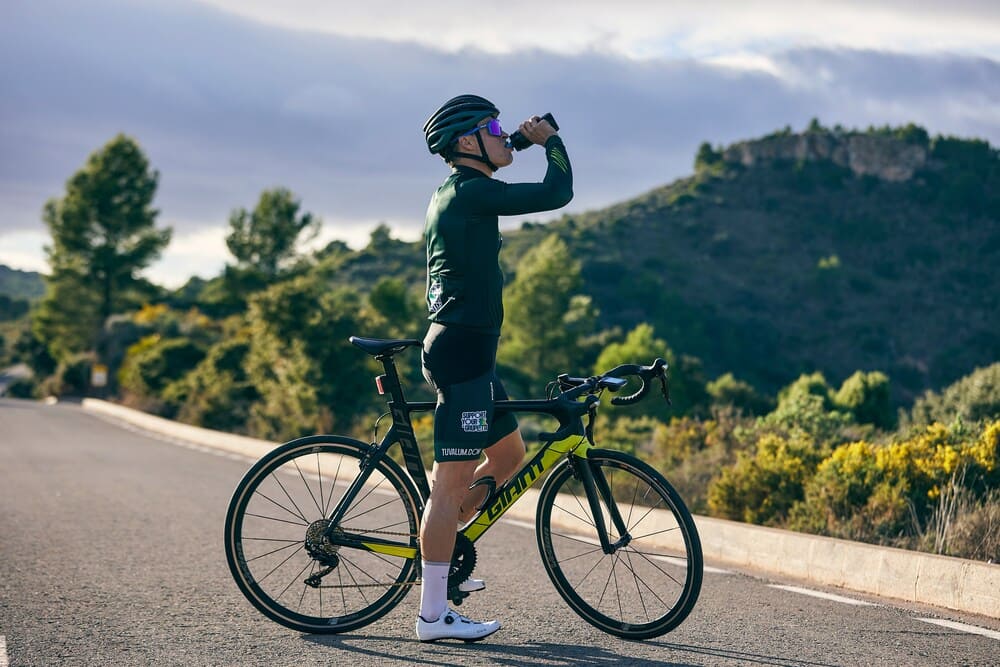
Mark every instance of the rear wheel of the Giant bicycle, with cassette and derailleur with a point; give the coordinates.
(289, 493)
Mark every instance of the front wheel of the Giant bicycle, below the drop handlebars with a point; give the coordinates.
(648, 586)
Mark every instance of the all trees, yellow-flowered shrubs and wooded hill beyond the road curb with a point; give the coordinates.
(827, 302)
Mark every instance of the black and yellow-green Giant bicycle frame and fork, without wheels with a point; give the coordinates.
(496, 505)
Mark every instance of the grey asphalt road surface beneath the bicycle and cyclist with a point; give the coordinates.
(111, 554)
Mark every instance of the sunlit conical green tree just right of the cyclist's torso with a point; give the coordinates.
(545, 316)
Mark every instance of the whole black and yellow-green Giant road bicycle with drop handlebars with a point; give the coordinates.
(322, 533)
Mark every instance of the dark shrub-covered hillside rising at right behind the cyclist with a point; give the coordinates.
(825, 250)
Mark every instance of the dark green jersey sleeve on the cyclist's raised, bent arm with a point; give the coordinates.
(495, 197)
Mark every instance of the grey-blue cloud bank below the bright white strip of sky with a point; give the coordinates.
(225, 108)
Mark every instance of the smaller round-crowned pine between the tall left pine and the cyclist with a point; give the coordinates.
(266, 239)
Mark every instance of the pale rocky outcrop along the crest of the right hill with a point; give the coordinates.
(885, 157)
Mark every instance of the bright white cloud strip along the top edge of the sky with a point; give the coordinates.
(644, 28)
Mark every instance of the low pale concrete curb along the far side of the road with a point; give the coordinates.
(942, 581)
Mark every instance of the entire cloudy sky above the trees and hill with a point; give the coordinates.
(231, 97)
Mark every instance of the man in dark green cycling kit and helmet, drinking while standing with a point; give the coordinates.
(464, 286)
